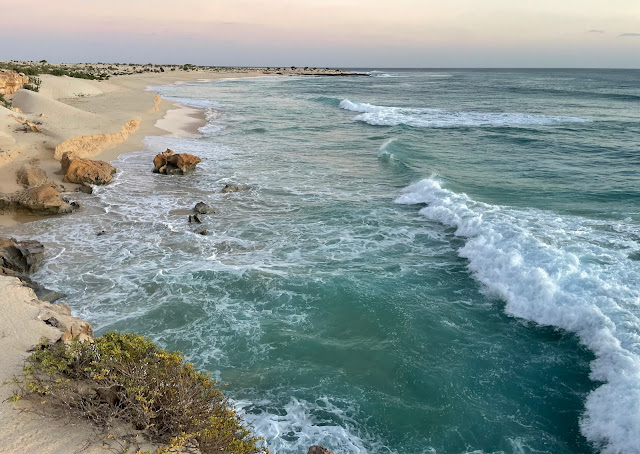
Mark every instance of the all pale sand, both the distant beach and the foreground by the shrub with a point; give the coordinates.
(64, 109)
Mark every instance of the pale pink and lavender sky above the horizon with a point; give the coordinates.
(327, 33)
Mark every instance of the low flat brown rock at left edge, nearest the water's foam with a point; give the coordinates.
(40, 200)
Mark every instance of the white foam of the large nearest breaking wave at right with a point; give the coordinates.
(566, 272)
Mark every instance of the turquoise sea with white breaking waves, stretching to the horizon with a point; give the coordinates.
(427, 261)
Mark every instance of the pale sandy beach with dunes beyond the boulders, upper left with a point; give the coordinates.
(113, 116)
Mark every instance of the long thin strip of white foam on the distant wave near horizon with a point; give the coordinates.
(436, 118)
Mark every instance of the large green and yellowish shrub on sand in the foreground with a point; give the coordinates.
(128, 378)
